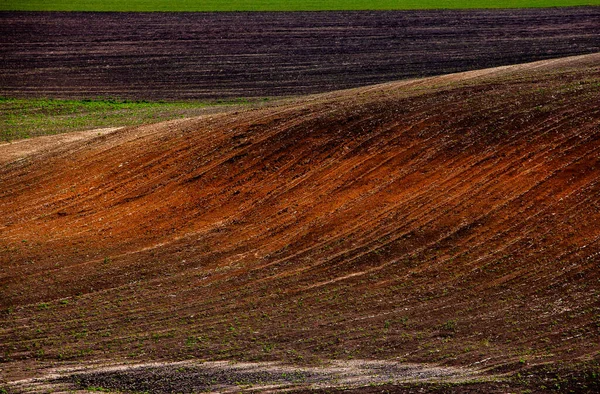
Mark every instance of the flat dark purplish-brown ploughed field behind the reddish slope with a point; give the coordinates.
(216, 55)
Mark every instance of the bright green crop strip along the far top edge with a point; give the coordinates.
(274, 5)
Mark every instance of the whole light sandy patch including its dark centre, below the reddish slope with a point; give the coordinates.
(225, 377)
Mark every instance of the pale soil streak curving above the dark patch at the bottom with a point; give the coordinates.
(335, 373)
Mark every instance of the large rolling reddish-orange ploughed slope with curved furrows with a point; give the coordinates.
(450, 220)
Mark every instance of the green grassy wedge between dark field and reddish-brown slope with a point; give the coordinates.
(24, 118)
